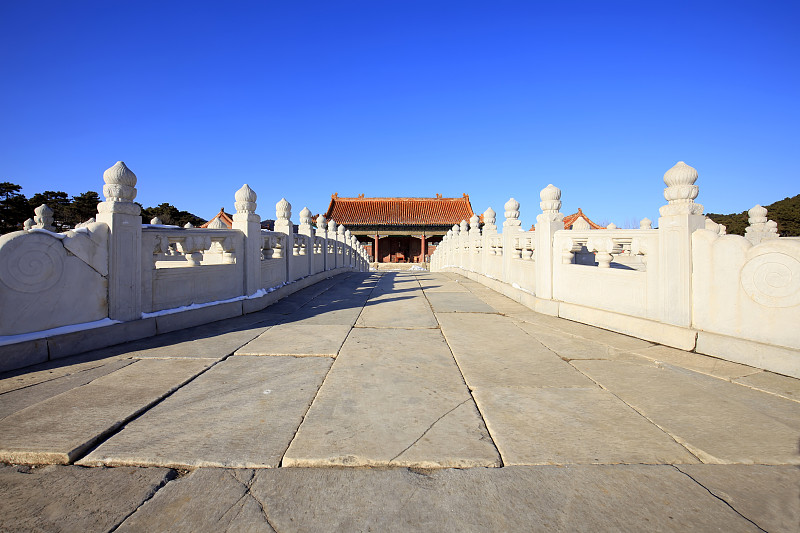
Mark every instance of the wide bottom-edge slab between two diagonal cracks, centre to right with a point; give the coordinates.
(546, 498)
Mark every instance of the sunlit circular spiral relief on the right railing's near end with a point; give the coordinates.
(772, 280)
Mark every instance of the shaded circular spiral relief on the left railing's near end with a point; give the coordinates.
(32, 266)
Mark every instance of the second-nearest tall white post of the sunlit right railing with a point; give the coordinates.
(547, 223)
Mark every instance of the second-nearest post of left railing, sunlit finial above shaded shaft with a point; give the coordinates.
(249, 223)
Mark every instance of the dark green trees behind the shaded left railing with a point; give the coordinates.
(68, 211)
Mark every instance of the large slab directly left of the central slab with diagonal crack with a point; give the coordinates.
(242, 413)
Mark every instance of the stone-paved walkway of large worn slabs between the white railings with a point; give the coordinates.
(398, 402)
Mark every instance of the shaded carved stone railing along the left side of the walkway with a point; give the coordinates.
(116, 269)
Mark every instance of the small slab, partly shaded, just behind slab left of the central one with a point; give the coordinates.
(298, 339)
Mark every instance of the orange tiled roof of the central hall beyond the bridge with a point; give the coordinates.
(436, 211)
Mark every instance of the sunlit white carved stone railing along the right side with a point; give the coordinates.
(686, 284)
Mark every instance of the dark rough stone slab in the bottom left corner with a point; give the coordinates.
(69, 498)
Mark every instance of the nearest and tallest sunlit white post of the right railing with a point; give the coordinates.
(679, 219)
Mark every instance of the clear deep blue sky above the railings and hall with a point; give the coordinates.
(404, 98)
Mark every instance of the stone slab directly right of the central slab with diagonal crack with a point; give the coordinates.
(572, 426)
